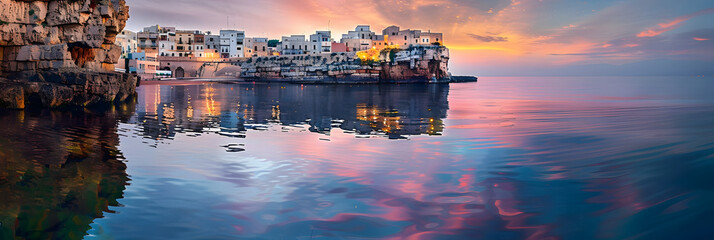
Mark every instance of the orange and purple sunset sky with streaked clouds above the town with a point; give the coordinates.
(486, 37)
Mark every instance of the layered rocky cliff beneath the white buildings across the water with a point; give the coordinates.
(415, 64)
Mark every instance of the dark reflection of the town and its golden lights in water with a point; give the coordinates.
(395, 111)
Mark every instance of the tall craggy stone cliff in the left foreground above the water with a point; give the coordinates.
(61, 52)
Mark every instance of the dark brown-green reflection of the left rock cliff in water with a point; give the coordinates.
(58, 171)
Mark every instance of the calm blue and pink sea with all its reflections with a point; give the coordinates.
(505, 158)
